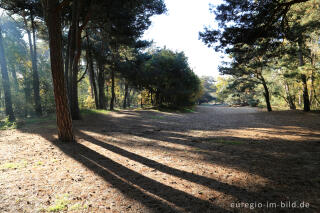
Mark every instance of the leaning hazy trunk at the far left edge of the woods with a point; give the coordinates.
(5, 81)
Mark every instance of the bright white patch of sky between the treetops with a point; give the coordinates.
(179, 29)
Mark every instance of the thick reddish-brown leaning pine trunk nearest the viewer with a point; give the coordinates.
(53, 20)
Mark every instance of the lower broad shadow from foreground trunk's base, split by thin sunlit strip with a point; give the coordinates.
(151, 193)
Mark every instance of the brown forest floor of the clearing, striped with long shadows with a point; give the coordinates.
(210, 160)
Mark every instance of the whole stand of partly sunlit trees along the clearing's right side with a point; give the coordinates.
(273, 49)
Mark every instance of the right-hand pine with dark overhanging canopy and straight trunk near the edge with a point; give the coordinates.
(248, 22)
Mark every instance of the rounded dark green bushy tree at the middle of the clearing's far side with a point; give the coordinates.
(169, 79)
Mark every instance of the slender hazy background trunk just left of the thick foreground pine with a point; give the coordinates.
(35, 74)
